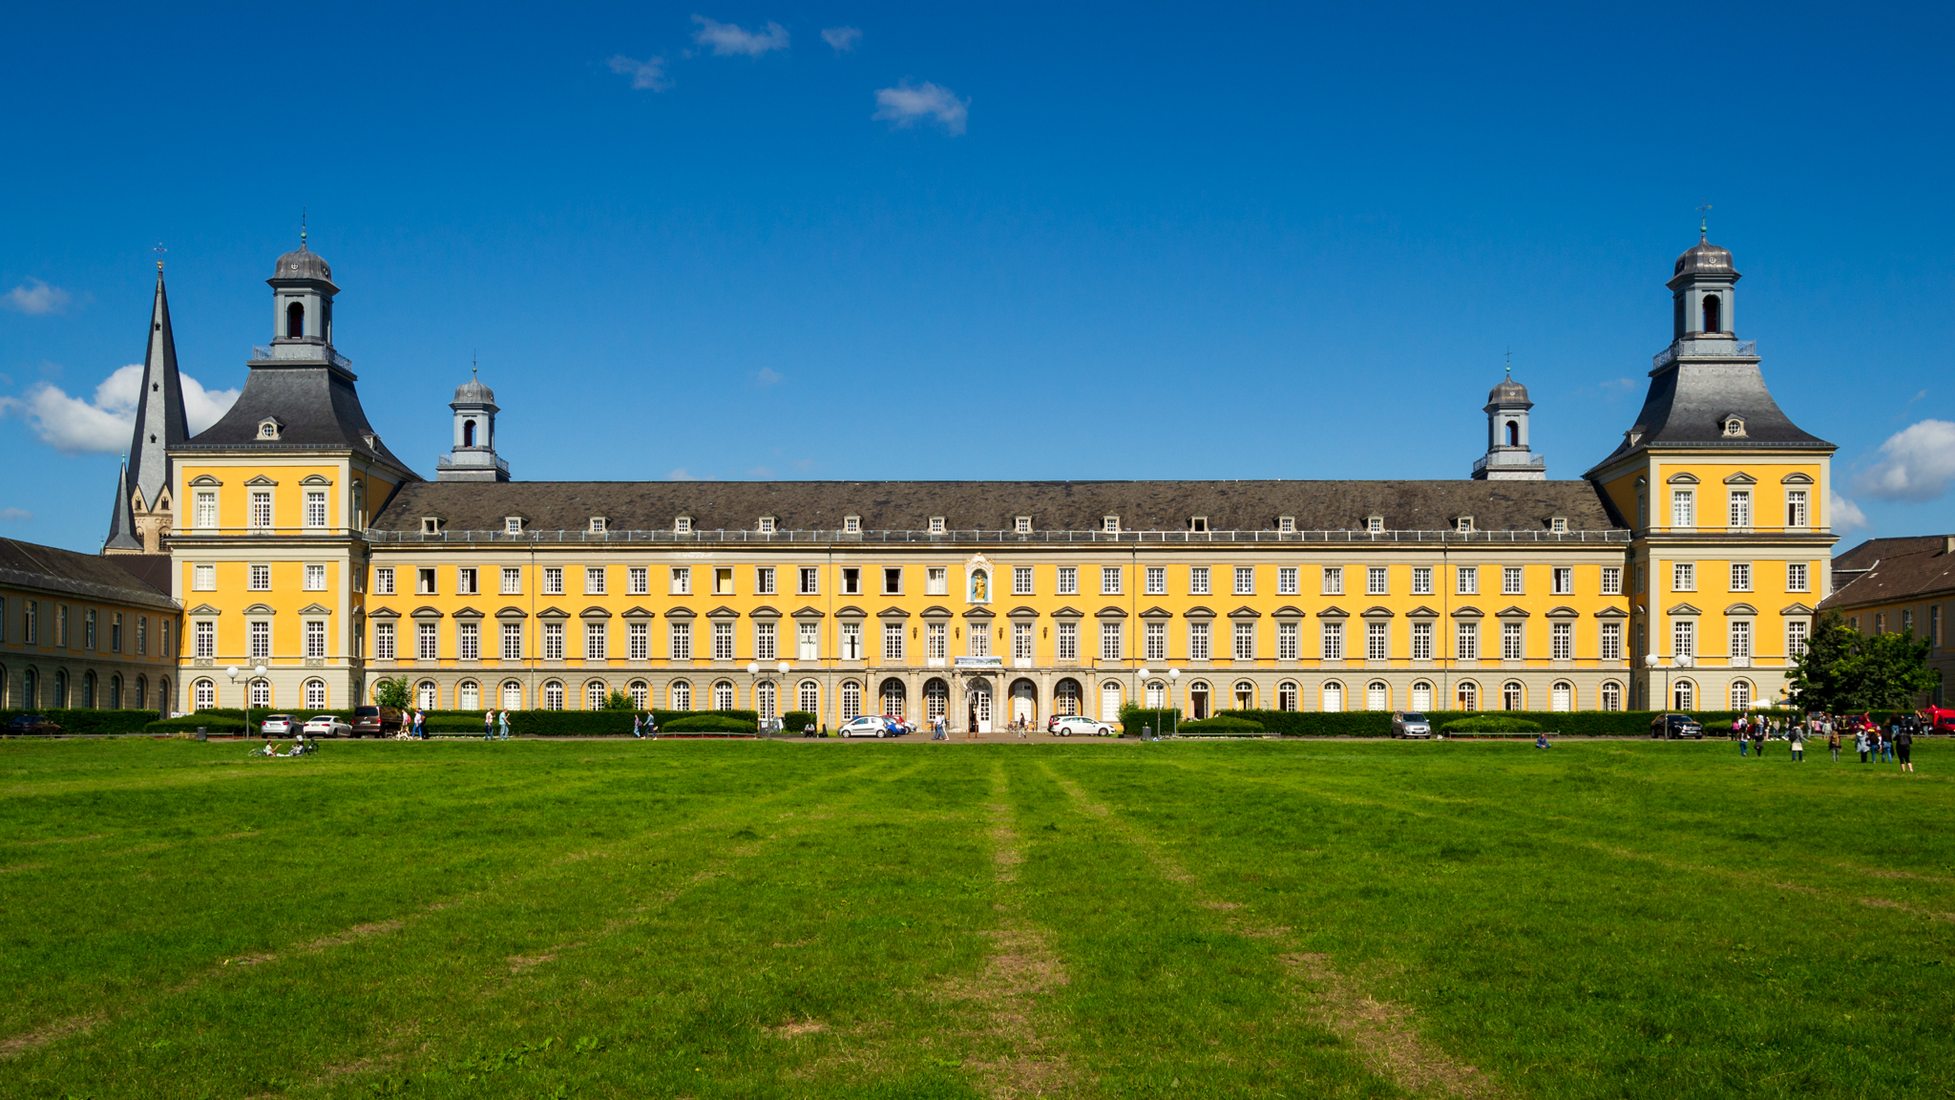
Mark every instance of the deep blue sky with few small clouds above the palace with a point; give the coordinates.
(986, 241)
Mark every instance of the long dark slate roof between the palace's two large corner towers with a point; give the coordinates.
(996, 505)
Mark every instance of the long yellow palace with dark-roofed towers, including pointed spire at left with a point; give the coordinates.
(1682, 570)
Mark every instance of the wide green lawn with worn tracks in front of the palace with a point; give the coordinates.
(746, 919)
